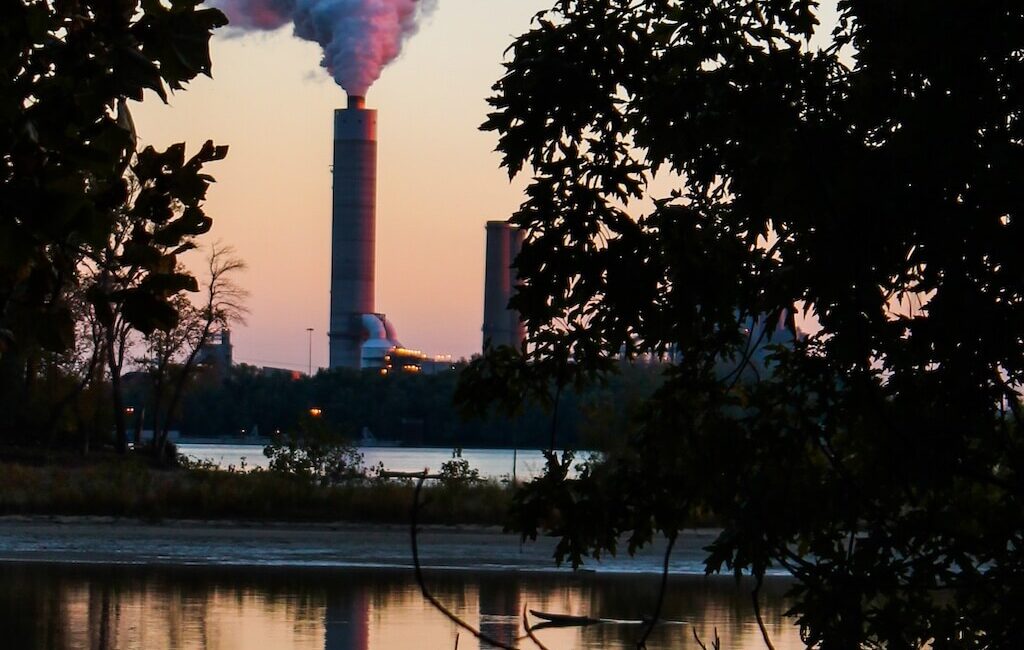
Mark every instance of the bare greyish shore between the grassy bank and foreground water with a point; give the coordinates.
(109, 541)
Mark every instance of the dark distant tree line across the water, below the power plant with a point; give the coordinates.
(246, 403)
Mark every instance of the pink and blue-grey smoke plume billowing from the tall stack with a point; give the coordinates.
(359, 37)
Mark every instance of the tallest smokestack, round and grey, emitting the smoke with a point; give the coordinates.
(354, 226)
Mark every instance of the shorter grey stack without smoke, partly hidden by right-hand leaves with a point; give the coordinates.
(501, 325)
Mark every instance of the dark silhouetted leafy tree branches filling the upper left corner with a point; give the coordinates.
(68, 148)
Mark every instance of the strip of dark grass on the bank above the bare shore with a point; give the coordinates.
(130, 488)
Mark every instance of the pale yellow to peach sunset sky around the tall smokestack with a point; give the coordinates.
(439, 178)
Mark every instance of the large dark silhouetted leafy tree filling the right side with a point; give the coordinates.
(874, 184)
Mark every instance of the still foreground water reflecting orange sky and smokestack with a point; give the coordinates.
(121, 609)
